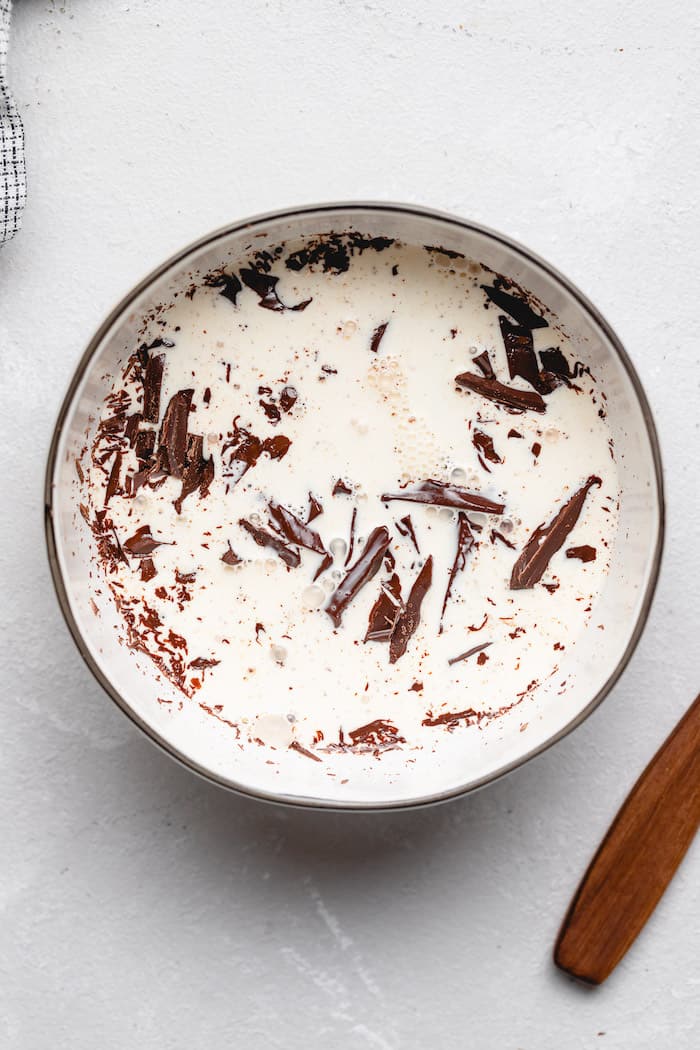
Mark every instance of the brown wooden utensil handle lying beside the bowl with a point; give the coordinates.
(638, 858)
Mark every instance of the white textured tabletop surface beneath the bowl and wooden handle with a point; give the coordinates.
(144, 909)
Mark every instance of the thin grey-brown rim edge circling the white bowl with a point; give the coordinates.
(292, 214)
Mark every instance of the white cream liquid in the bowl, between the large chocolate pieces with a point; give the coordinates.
(378, 421)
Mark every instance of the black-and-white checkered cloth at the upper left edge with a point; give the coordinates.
(13, 178)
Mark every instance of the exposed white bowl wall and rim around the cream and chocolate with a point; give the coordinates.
(464, 760)
